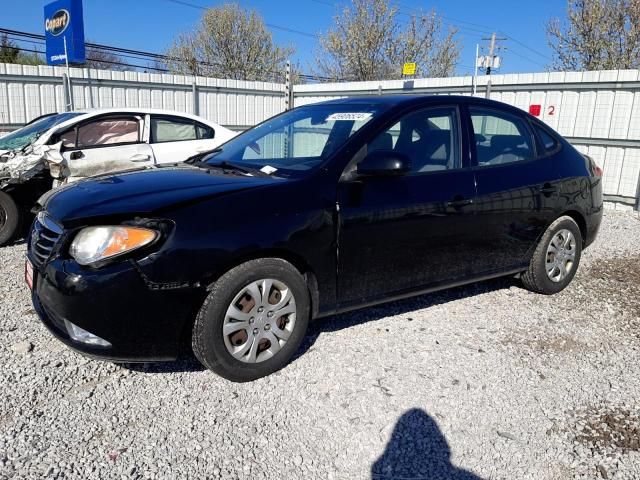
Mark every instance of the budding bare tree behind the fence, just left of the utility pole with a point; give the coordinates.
(368, 43)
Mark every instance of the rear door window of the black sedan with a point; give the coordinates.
(500, 137)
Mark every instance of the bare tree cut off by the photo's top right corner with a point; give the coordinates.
(596, 35)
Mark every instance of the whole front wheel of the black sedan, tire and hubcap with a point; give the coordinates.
(214, 350)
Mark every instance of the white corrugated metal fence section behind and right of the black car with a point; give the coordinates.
(599, 112)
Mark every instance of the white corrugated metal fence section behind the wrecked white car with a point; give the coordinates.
(27, 92)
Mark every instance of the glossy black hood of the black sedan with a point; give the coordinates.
(142, 192)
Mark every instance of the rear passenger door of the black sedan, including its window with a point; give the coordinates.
(517, 188)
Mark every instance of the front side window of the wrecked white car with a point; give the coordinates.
(108, 131)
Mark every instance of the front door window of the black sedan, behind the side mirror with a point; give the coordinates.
(428, 137)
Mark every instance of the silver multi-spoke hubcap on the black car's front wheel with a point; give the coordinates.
(259, 320)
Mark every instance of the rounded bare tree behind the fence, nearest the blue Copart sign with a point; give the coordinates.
(230, 42)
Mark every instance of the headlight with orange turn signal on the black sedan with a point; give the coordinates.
(94, 244)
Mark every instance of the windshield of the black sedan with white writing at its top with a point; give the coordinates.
(297, 141)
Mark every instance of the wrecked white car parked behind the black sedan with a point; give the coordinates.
(59, 148)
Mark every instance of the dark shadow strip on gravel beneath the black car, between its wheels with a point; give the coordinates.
(399, 307)
